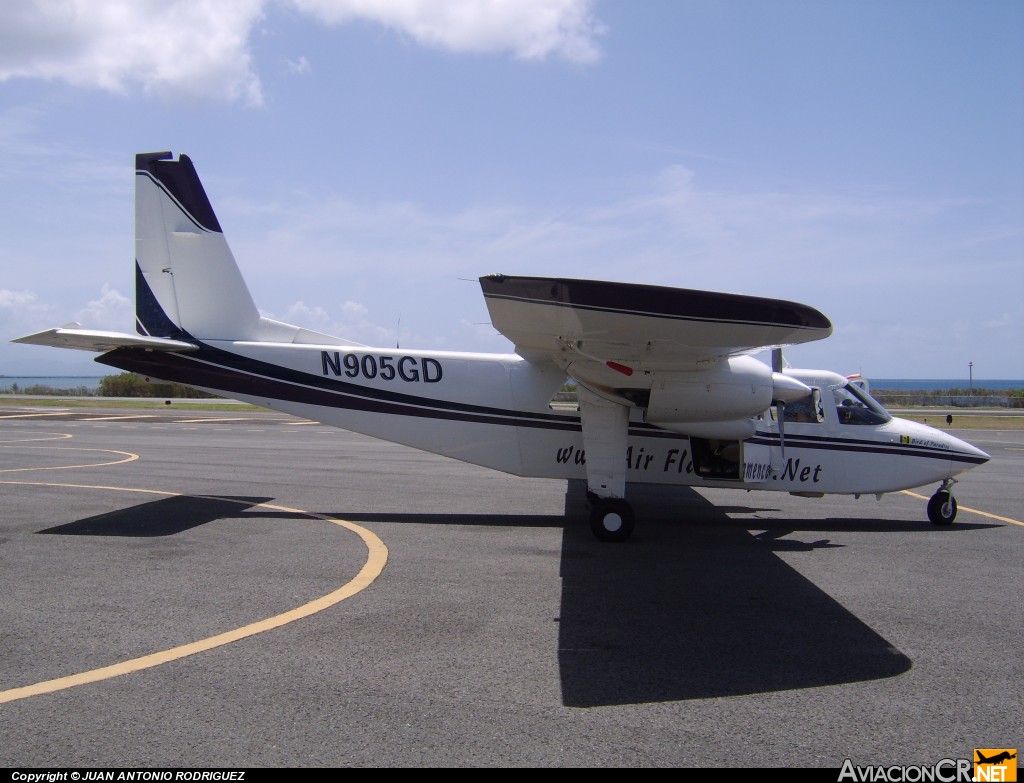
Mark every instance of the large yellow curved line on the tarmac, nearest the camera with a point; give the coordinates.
(376, 559)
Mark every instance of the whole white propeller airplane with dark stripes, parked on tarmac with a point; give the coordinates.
(669, 391)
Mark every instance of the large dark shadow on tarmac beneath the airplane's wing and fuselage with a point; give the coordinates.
(696, 605)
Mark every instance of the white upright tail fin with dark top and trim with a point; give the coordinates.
(188, 285)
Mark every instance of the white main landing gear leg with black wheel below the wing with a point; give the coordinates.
(606, 427)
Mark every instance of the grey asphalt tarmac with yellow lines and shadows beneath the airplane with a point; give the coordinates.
(238, 590)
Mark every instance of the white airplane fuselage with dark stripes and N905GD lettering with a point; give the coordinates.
(495, 411)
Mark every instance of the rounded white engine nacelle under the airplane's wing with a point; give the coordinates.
(738, 388)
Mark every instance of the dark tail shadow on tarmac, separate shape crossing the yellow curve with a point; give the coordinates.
(164, 517)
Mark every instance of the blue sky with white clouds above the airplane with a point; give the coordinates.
(369, 160)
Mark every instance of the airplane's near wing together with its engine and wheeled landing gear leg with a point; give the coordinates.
(676, 360)
